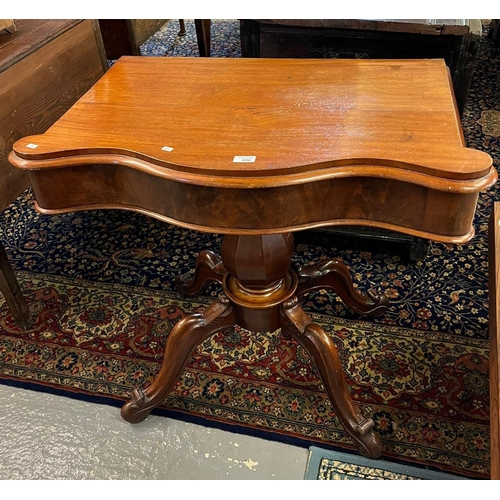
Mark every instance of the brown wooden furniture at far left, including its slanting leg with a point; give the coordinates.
(45, 66)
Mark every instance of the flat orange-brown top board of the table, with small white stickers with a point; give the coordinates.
(288, 113)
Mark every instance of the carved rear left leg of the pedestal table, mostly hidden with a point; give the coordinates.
(208, 268)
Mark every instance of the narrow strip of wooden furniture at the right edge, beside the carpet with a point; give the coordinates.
(494, 290)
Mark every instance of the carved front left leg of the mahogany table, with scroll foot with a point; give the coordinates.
(183, 339)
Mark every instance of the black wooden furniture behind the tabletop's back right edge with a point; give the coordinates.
(454, 40)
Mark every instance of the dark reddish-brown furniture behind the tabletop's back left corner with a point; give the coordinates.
(125, 36)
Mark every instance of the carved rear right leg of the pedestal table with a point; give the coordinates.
(334, 275)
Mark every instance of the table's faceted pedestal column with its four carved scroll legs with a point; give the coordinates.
(262, 293)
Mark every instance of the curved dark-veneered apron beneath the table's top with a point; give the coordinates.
(370, 201)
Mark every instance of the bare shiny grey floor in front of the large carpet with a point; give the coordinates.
(44, 436)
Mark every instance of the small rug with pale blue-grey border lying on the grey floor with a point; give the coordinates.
(330, 465)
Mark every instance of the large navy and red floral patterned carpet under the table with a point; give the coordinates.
(103, 312)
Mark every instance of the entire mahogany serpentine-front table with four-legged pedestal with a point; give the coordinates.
(256, 149)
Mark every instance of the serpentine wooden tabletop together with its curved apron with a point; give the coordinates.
(372, 135)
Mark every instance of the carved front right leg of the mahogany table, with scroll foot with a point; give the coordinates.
(322, 350)
